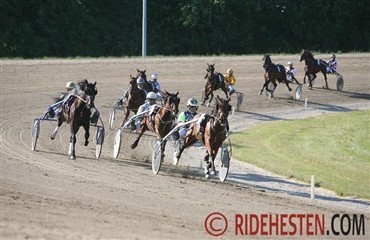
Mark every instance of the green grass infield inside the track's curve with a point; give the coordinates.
(335, 148)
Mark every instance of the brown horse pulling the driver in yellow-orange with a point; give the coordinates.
(214, 81)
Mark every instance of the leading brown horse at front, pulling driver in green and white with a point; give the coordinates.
(215, 133)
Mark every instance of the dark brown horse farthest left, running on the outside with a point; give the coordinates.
(77, 114)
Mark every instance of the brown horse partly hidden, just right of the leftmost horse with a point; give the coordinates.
(136, 97)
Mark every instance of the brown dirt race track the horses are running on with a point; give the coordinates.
(44, 195)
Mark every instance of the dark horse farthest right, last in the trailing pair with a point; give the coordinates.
(313, 66)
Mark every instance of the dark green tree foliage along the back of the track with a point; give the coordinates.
(68, 28)
